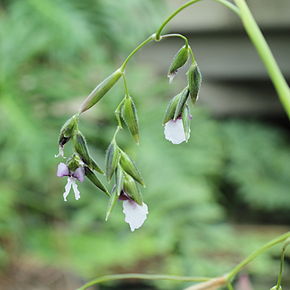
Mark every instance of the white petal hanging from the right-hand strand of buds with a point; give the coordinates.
(174, 131)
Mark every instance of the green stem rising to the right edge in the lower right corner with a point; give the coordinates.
(256, 253)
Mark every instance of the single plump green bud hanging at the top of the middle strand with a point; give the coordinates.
(129, 115)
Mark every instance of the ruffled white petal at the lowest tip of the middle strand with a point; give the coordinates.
(135, 214)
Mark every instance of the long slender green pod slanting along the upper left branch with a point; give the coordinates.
(100, 90)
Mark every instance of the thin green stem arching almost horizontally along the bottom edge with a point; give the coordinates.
(143, 277)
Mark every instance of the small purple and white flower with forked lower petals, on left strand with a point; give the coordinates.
(78, 174)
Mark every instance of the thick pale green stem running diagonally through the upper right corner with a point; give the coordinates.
(265, 54)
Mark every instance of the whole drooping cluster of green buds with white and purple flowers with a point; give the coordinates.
(119, 166)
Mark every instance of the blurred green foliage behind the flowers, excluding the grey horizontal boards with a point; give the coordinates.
(53, 53)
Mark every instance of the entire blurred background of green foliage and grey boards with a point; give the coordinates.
(212, 201)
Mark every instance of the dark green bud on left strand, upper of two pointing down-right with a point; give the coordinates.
(80, 146)
